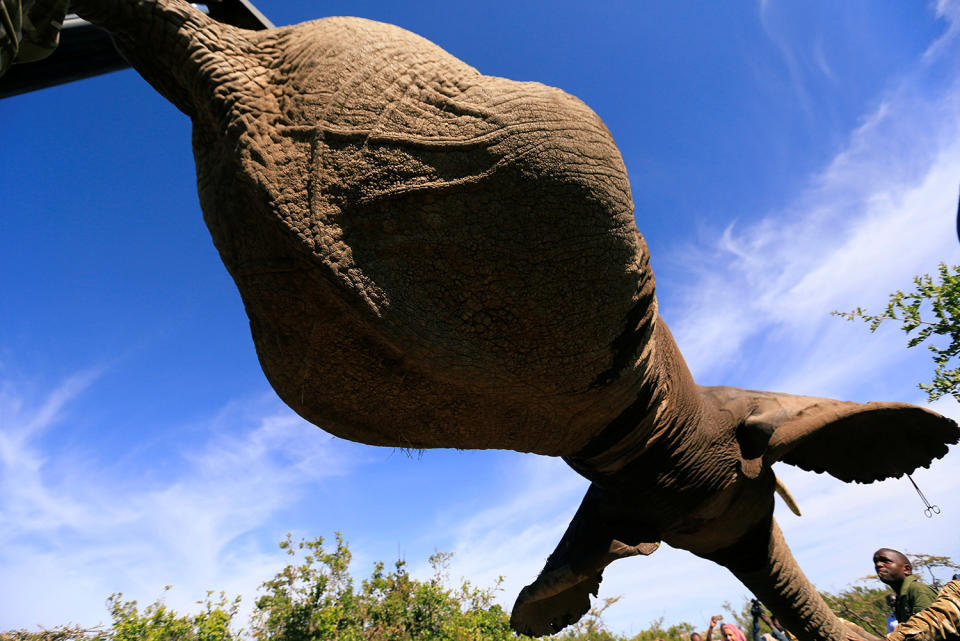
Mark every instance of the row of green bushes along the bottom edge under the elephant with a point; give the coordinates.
(315, 598)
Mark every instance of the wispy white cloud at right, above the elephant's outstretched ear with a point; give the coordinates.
(882, 211)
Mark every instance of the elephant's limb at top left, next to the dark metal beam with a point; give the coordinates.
(177, 48)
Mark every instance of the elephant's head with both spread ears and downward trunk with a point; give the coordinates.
(715, 497)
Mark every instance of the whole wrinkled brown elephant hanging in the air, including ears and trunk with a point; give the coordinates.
(430, 257)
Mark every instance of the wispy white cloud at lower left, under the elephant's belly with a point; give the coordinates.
(71, 534)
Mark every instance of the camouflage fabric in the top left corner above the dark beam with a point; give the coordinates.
(29, 29)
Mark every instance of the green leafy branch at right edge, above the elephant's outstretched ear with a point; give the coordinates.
(933, 309)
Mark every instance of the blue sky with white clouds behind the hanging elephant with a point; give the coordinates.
(786, 159)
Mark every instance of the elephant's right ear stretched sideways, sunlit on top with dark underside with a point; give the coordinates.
(854, 442)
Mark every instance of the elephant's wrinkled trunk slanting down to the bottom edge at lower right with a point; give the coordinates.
(763, 562)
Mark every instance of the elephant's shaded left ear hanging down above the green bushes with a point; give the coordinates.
(601, 532)
